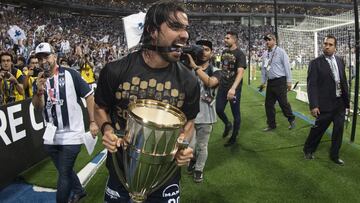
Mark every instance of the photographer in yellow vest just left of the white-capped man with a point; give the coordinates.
(31, 72)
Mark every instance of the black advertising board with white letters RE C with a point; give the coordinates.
(21, 142)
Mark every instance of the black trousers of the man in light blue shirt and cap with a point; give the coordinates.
(277, 91)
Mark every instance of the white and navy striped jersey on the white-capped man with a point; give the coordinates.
(62, 96)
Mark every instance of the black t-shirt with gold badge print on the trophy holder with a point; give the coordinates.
(131, 78)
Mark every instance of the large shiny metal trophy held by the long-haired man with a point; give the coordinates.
(145, 161)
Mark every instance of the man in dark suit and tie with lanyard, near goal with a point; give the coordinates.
(328, 98)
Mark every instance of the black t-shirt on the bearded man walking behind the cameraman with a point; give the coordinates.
(231, 60)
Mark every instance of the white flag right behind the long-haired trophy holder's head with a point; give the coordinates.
(134, 26)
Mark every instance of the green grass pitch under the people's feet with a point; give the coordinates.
(262, 167)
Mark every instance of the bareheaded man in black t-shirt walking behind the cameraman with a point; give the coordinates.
(233, 65)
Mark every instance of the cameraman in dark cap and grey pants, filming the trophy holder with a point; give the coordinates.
(205, 119)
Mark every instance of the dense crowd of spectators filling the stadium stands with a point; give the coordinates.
(90, 42)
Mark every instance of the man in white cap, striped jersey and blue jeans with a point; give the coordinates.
(57, 92)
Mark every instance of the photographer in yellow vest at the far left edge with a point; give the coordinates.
(11, 80)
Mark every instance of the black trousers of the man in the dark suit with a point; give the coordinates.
(337, 116)
